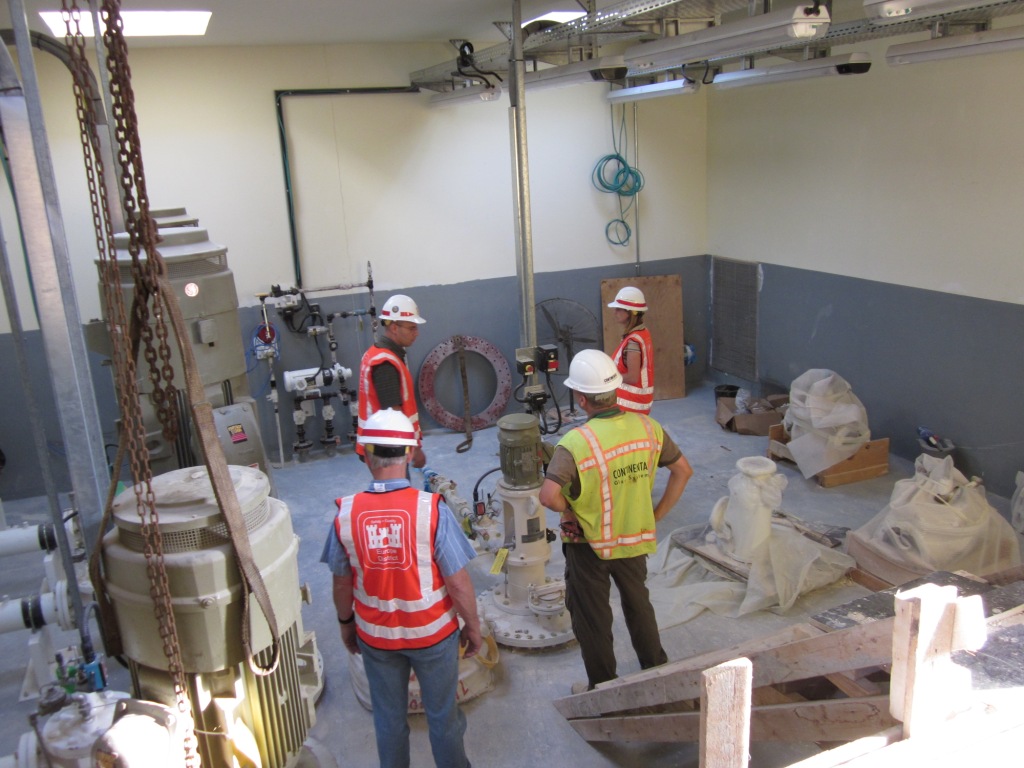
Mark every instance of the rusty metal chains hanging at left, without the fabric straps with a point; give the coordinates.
(125, 338)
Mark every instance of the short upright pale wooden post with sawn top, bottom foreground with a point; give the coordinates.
(726, 715)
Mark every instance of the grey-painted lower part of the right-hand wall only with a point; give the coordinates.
(950, 363)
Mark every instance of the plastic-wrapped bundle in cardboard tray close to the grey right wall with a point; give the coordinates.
(827, 422)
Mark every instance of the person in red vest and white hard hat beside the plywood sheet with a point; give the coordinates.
(635, 357)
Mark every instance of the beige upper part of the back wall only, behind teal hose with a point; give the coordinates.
(423, 194)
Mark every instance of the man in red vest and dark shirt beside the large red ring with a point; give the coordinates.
(386, 380)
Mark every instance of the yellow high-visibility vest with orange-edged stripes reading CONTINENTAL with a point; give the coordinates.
(615, 507)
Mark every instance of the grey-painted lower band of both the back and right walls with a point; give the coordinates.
(914, 357)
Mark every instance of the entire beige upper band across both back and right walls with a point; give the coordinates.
(907, 176)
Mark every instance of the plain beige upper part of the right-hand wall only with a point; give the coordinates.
(909, 176)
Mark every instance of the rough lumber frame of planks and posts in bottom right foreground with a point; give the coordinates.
(826, 681)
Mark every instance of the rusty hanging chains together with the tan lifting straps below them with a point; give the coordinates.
(154, 310)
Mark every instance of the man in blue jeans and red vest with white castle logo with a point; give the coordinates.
(401, 586)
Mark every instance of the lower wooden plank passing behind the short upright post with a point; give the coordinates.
(830, 720)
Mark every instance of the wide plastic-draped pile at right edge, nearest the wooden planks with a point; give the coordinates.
(940, 521)
